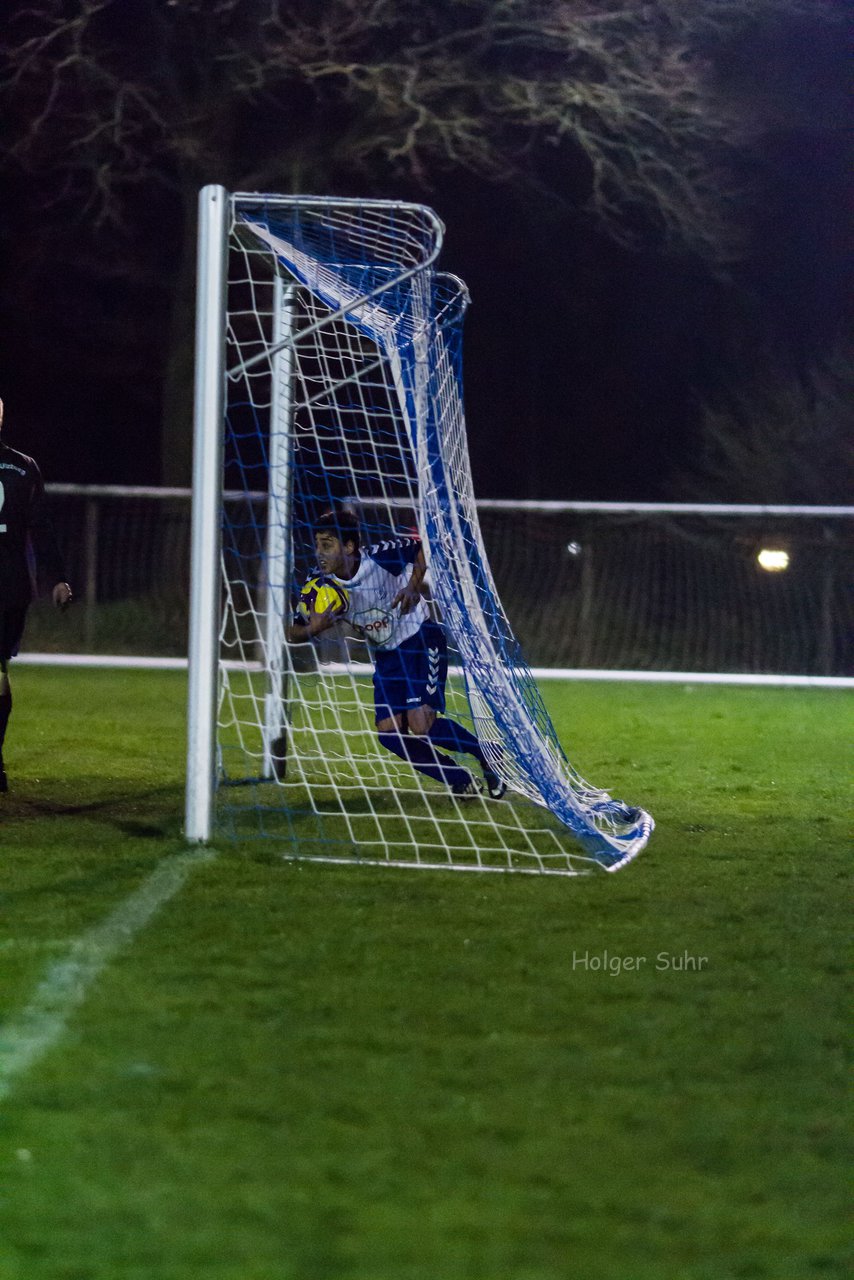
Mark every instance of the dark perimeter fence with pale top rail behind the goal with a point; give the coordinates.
(608, 591)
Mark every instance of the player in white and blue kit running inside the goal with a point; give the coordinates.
(387, 609)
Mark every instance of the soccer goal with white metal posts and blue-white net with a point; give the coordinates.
(330, 376)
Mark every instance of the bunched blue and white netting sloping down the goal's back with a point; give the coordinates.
(372, 267)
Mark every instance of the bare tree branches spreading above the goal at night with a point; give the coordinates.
(117, 99)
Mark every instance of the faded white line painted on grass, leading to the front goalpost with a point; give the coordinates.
(66, 984)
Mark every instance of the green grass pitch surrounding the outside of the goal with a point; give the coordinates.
(225, 1067)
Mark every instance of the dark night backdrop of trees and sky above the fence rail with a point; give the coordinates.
(614, 349)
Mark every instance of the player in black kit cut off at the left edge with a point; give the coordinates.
(28, 543)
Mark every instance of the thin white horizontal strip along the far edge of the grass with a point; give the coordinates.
(355, 669)
